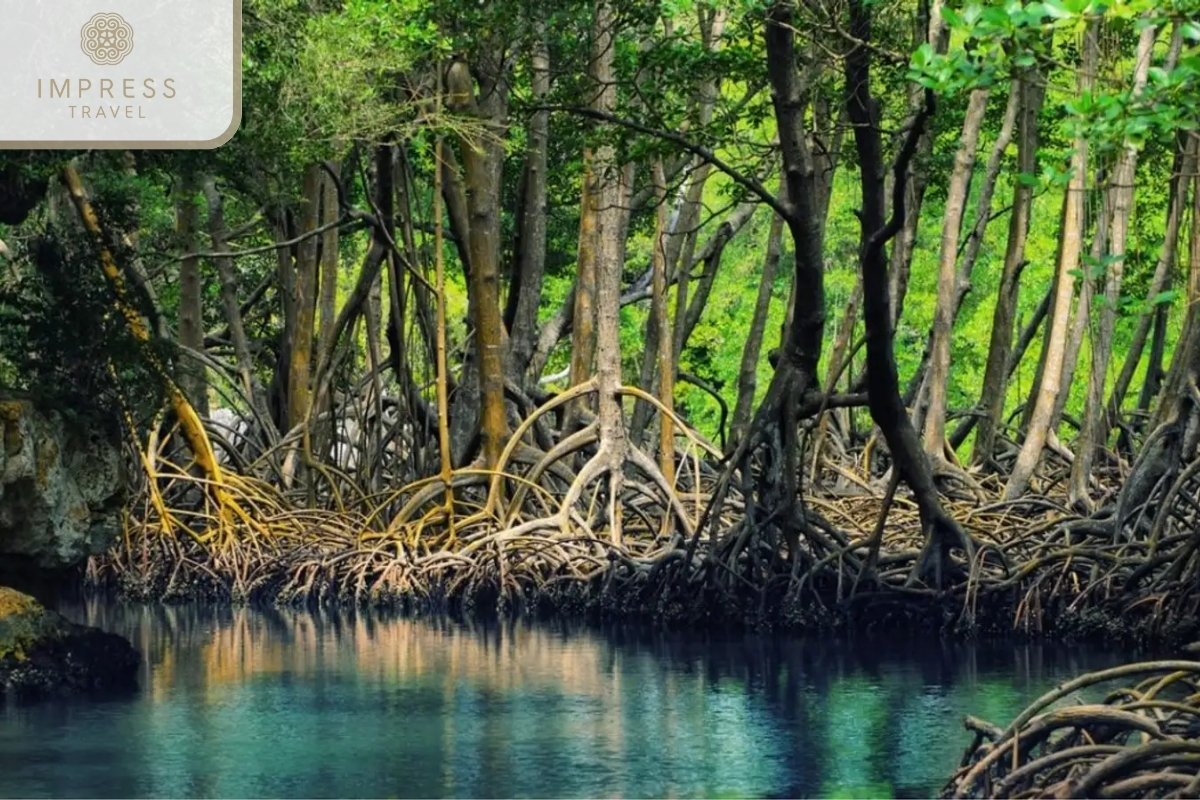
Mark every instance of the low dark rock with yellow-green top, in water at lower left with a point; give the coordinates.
(43, 654)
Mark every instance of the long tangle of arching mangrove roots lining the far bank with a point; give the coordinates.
(538, 531)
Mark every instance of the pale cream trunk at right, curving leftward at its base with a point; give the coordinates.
(1060, 317)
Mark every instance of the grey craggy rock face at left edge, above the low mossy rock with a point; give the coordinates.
(62, 489)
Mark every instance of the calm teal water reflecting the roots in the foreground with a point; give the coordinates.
(241, 703)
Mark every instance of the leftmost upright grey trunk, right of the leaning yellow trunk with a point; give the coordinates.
(191, 299)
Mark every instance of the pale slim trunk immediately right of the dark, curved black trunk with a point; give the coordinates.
(944, 315)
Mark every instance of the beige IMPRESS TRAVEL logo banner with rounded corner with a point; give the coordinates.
(119, 74)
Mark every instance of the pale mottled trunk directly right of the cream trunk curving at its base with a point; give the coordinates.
(1091, 437)
